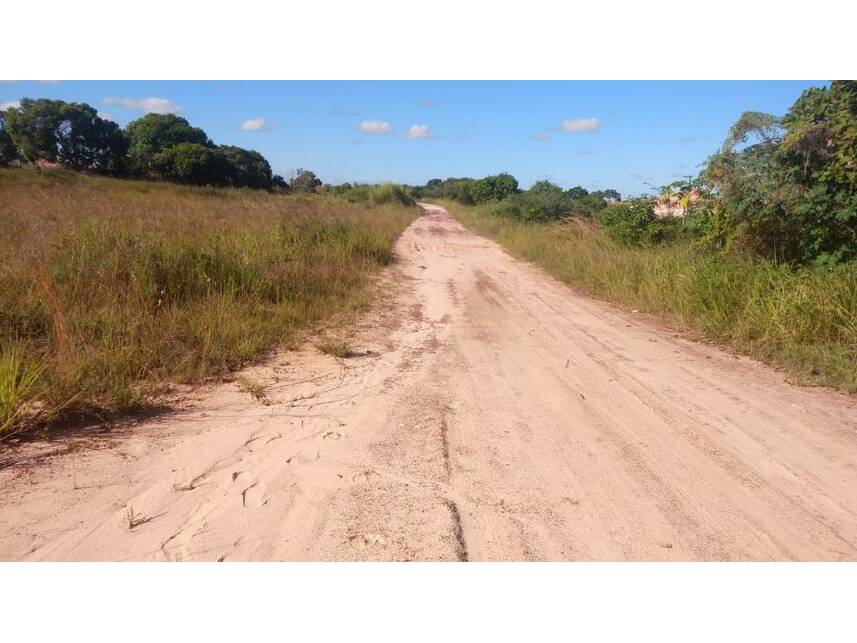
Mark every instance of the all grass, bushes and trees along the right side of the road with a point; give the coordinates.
(758, 252)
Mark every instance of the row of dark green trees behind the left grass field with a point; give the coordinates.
(163, 147)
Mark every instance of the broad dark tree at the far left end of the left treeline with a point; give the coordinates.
(69, 133)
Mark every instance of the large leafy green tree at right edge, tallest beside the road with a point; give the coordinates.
(787, 187)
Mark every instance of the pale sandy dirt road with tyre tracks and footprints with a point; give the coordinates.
(494, 414)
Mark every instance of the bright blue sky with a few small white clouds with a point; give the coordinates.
(619, 134)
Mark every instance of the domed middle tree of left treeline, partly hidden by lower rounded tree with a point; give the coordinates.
(153, 133)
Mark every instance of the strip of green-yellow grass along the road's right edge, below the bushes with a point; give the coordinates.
(803, 321)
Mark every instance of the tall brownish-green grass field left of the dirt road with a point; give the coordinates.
(111, 288)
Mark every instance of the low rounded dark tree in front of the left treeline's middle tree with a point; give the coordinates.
(192, 163)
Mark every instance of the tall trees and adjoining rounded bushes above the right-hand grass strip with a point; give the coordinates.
(784, 188)
